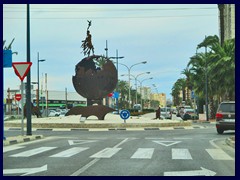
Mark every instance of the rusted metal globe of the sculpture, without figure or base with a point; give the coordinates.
(95, 78)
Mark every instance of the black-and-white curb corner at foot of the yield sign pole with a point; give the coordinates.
(20, 139)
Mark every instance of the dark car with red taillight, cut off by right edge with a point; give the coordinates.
(225, 117)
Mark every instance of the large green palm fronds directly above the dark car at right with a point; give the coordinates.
(222, 65)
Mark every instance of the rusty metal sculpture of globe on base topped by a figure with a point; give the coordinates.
(95, 77)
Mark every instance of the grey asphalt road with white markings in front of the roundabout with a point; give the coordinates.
(185, 152)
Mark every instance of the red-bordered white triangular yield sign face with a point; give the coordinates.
(21, 69)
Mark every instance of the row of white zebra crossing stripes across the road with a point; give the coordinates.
(140, 153)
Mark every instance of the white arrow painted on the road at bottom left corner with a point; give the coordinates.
(27, 171)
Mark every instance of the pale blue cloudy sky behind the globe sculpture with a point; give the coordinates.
(165, 36)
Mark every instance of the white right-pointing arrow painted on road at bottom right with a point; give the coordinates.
(202, 172)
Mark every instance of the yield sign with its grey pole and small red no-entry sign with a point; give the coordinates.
(21, 69)
